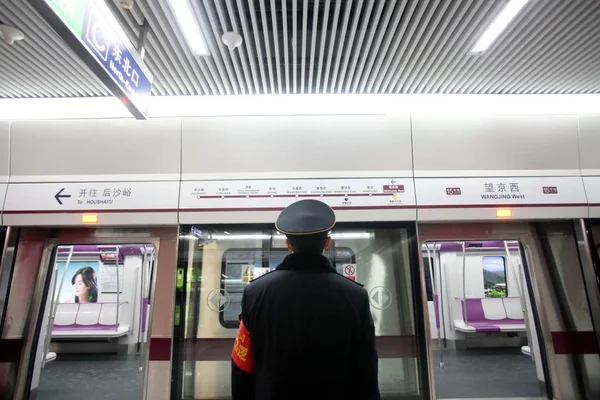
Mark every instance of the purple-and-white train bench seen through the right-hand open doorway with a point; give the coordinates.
(488, 315)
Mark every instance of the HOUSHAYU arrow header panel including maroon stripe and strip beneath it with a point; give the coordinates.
(114, 203)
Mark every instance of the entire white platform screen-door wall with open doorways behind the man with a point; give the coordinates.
(480, 269)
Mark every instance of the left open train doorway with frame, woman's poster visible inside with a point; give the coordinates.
(44, 261)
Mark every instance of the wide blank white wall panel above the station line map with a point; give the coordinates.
(296, 147)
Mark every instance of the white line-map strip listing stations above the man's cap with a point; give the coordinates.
(257, 195)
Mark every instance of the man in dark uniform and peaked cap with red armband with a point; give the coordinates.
(306, 332)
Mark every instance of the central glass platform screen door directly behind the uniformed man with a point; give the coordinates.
(227, 258)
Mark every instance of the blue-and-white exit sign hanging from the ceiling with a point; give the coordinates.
(92, 32)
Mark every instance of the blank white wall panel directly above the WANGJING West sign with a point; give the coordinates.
(495, 145)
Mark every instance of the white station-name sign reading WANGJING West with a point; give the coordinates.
(495, 192)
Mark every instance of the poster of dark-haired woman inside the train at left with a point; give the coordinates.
(80, 285)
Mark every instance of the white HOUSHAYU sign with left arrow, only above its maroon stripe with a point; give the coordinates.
(91, 197)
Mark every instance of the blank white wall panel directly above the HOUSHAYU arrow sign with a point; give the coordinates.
(94, 151)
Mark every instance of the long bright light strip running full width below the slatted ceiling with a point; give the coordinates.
(272, 105)
